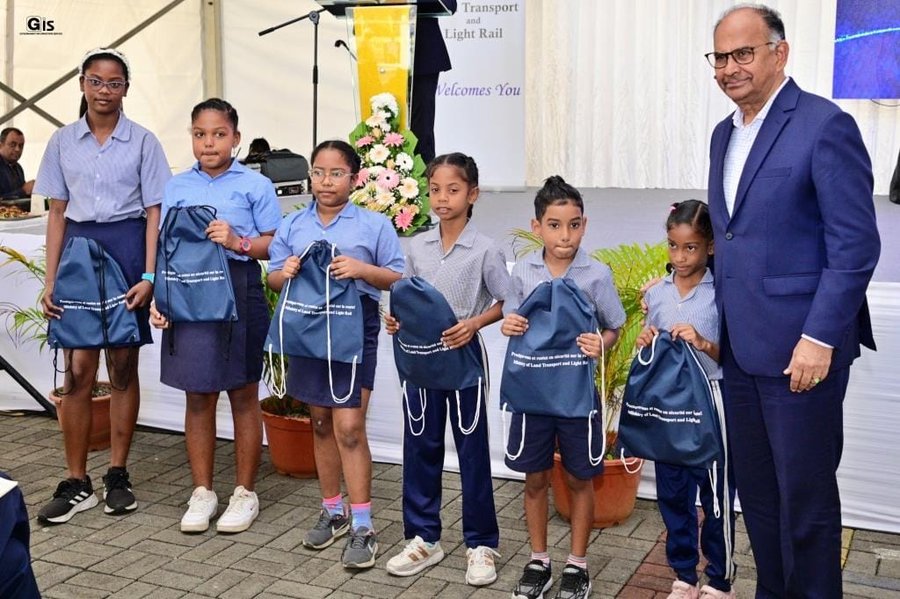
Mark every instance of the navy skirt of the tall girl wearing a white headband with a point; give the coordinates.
(126, 242)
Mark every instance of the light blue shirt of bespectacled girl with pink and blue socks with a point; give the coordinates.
(357, 232)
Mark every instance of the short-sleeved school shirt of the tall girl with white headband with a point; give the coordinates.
(107, 183)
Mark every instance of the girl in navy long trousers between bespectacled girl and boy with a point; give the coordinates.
(469, 269)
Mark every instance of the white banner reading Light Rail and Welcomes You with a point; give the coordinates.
(480, 107)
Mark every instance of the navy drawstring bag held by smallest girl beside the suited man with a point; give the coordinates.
(669, 413)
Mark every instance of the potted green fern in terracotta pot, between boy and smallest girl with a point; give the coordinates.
(632, 266)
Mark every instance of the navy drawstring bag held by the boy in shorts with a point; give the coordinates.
(545, 372)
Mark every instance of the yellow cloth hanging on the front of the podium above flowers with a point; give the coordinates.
(383, 49)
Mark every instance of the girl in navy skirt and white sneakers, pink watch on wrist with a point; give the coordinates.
(208, 358)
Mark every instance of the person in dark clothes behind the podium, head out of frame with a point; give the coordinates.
(431, 58)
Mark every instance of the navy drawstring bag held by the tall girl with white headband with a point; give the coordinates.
(91, 288)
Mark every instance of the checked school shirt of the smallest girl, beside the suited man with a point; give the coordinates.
(666, 308)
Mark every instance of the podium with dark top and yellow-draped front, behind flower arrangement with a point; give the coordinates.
(382, 35)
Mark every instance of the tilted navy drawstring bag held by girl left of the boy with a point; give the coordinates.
(422, 358)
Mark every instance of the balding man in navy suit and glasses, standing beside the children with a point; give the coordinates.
(790, 195)
